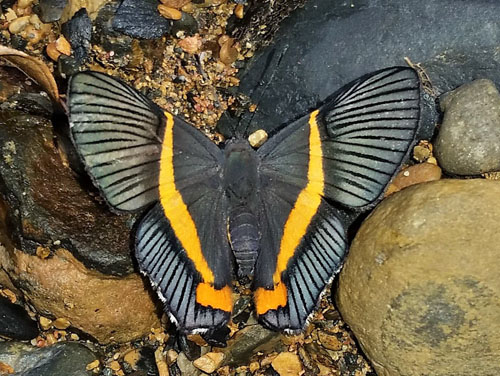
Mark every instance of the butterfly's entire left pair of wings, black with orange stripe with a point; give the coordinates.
(138, 155)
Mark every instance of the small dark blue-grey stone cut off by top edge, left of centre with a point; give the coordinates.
(140, 19)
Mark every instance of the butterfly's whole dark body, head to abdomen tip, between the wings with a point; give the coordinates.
(241, 188)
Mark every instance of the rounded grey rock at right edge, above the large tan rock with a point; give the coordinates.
(468, 142)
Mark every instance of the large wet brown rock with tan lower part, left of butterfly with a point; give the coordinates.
(61, 247)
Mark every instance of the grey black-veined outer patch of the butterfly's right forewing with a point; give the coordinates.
(370, 126)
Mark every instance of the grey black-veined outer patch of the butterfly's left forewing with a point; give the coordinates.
(116, 131)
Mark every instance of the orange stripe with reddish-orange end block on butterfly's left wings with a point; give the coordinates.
(184, 227)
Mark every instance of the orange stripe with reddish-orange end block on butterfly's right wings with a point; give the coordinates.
(298, 221)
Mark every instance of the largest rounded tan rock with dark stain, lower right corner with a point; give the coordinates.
(420, 288)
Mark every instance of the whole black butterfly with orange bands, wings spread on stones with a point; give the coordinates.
(269, 213)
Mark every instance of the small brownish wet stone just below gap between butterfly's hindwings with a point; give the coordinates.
(246, 342)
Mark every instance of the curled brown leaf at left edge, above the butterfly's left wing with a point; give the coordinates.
(34, 68)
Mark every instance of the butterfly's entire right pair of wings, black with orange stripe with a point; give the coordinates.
(347, 151)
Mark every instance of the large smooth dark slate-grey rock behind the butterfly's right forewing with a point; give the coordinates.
(327, 44)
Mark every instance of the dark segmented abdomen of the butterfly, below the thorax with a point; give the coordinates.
(244, 237)
